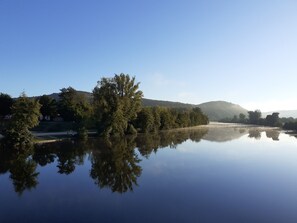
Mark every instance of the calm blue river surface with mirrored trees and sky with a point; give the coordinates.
(210, 174)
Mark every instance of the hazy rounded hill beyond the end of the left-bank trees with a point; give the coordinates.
(217, 110)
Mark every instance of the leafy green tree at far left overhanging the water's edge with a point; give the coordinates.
(25, 115)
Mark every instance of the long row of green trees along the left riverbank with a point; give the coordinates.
(114, 109)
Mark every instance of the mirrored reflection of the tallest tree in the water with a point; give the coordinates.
(115, 165)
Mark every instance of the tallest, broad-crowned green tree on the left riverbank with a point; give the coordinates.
(117, 101)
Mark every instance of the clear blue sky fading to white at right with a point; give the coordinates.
(241, 51)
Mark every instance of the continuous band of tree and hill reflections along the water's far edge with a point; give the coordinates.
(115, 163)
